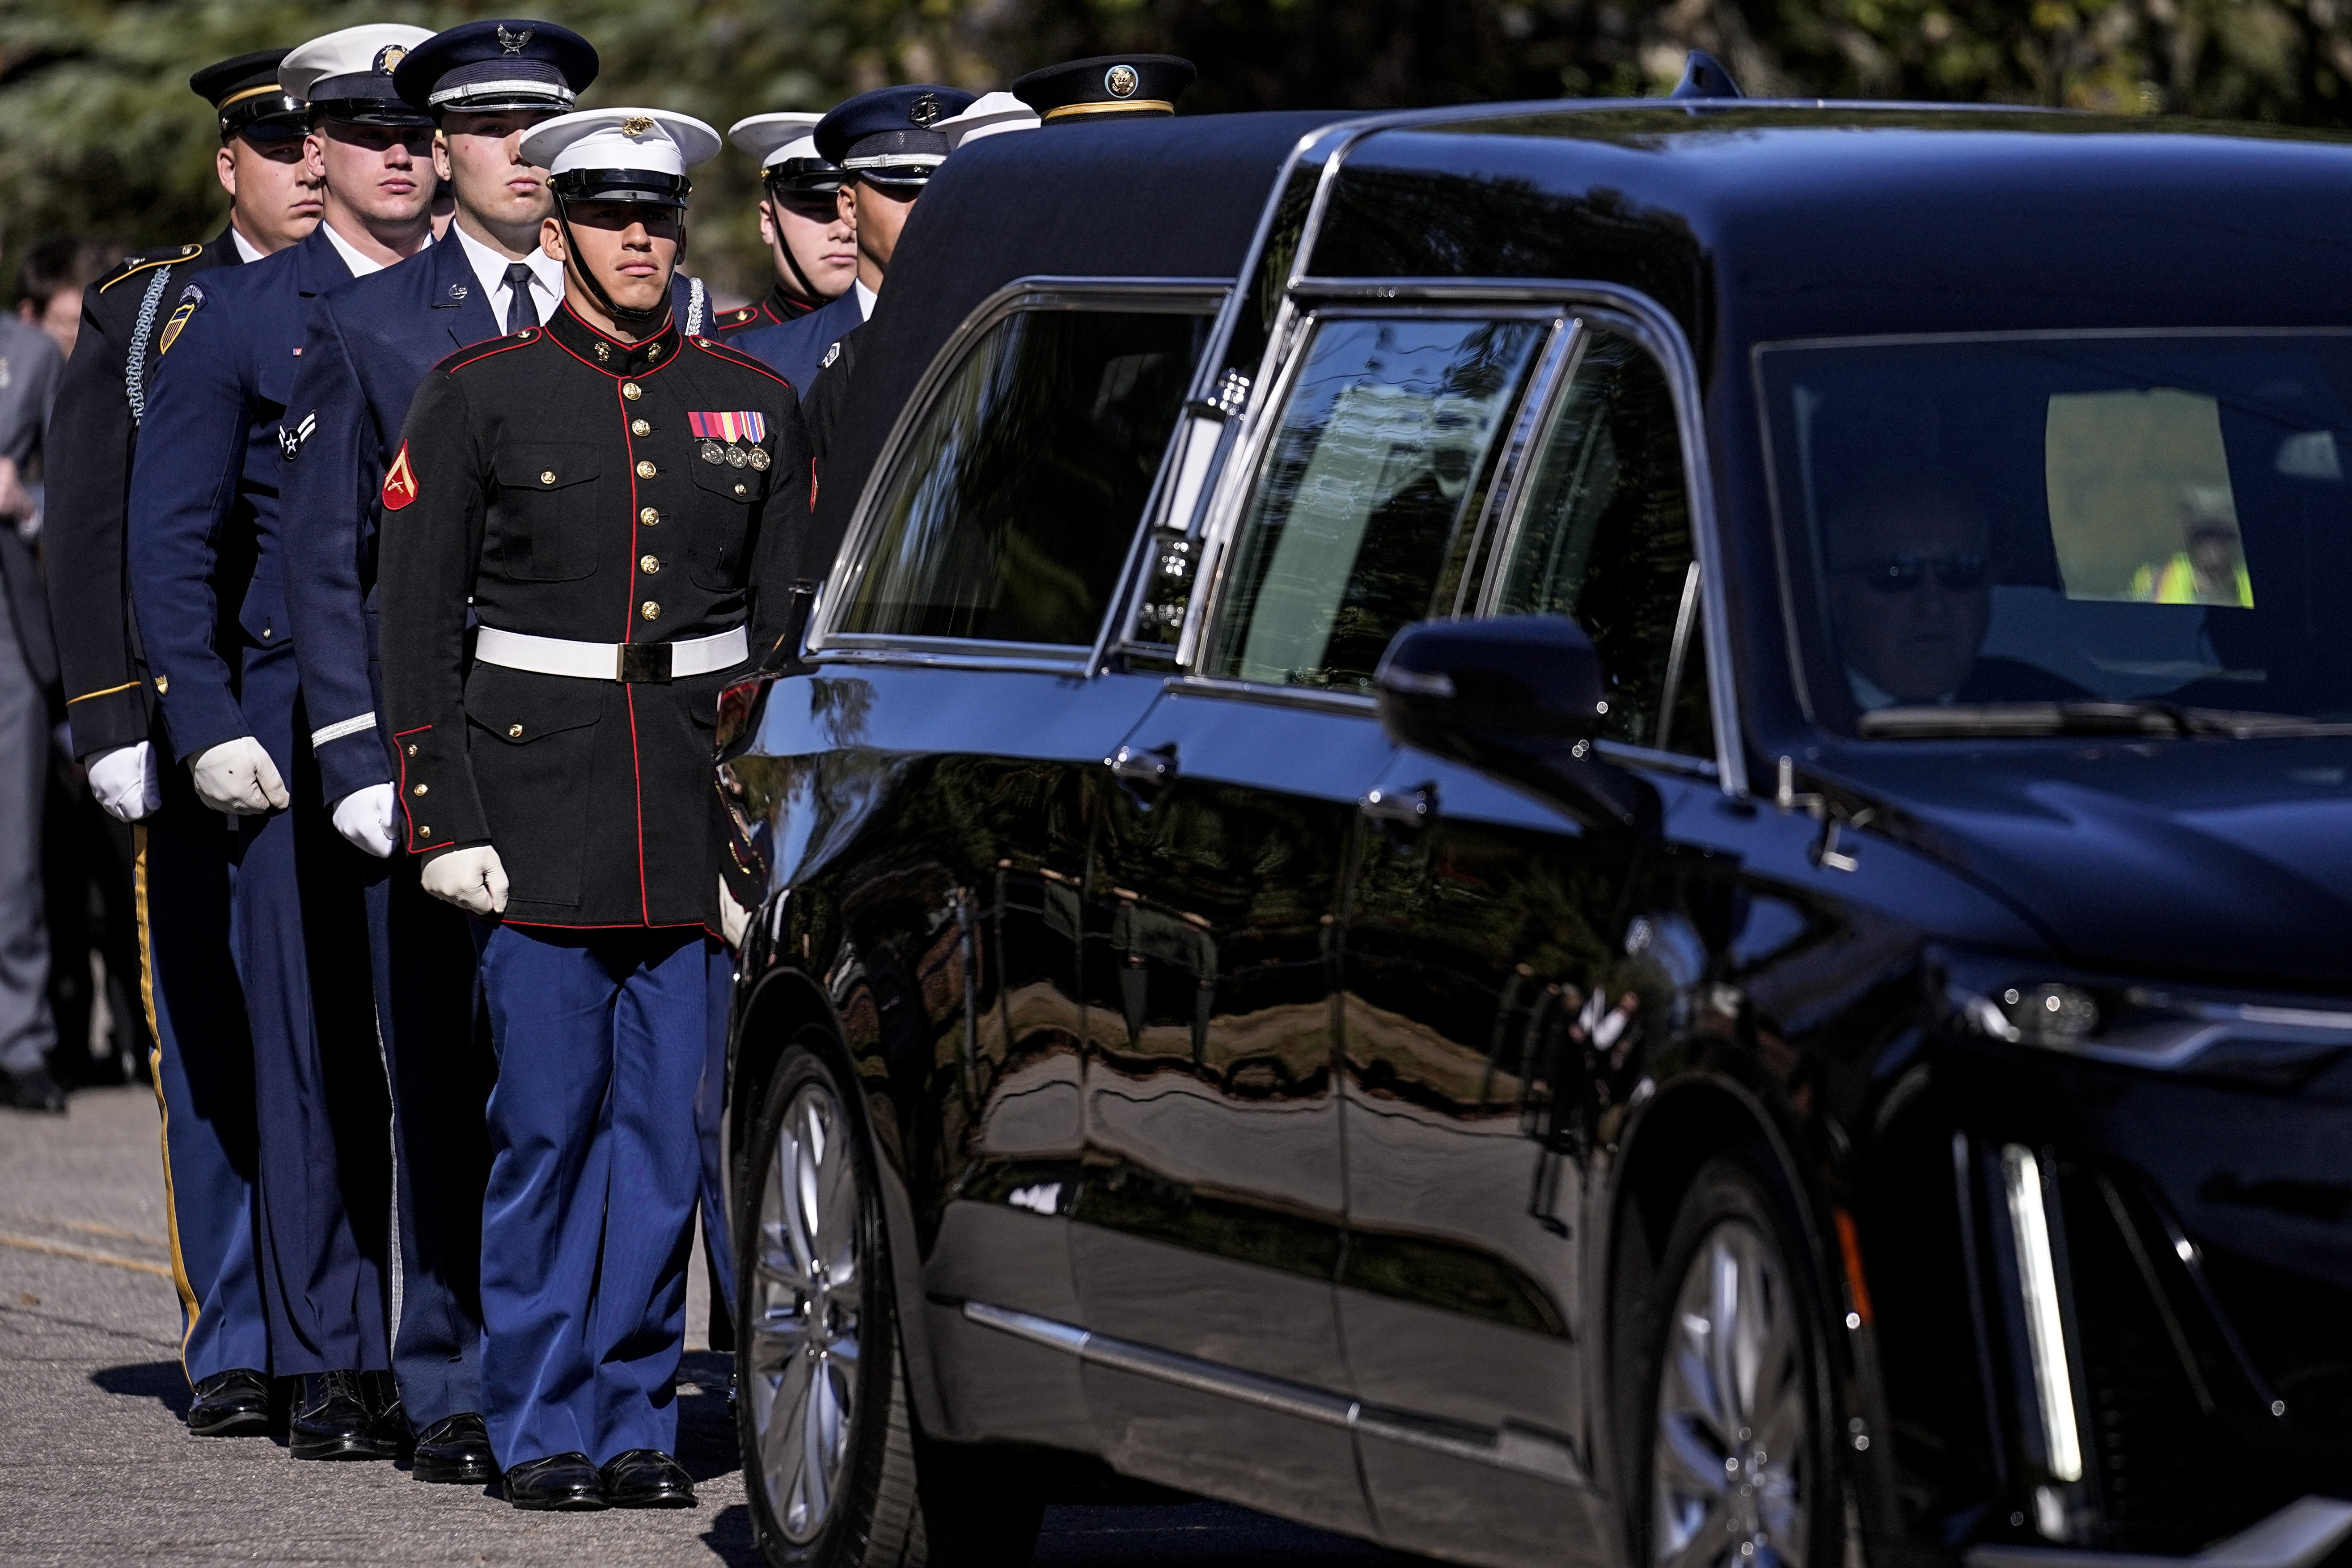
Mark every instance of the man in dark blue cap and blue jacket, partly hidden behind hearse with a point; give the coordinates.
(886, 142)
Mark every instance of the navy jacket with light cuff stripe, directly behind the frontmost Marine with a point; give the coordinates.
(366, 351)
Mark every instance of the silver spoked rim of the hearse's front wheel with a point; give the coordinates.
(1728, 1463)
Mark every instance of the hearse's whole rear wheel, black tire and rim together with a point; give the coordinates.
(836, 1473)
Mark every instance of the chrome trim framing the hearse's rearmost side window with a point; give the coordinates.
(1024, 295)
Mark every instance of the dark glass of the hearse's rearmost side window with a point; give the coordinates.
(1013, 511)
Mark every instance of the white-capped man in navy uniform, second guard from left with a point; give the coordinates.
(211, 575)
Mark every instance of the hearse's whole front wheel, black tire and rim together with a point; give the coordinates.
(1730, 1435)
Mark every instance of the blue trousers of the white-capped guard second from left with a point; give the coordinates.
(300, 937)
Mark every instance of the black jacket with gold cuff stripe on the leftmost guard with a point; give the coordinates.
(93, 438)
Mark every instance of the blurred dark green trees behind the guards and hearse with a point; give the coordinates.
(100, 133)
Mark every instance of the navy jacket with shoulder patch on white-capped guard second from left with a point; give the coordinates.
(203, 511)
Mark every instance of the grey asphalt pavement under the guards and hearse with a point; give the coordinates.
(98, 1468)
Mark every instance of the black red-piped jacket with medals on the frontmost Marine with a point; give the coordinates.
(554, 483)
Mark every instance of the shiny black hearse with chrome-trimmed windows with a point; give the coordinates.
(1572, 833)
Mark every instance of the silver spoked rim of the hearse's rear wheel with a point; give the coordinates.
(808, 1308)
